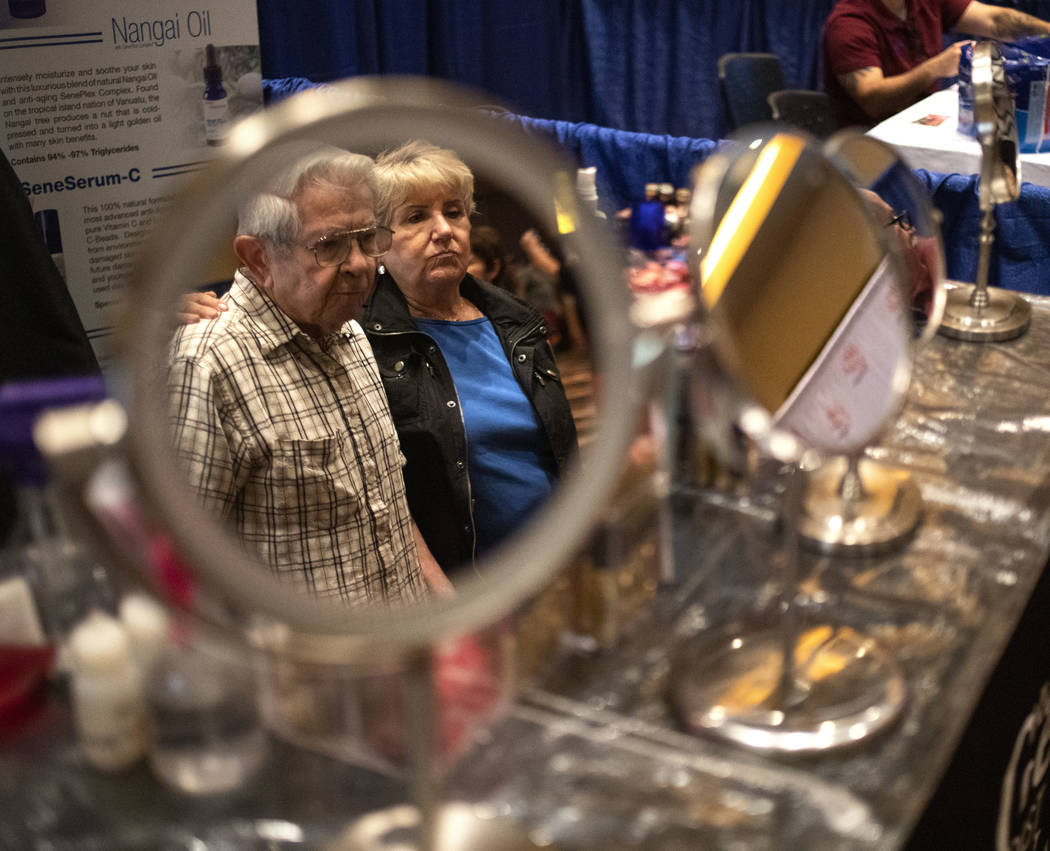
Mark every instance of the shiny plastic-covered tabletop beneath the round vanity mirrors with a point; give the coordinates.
(592, 758)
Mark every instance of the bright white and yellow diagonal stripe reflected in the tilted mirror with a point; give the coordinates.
(746, 215)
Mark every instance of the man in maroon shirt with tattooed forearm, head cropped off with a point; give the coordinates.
(881, 56)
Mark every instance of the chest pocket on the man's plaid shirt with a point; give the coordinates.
(317, 483)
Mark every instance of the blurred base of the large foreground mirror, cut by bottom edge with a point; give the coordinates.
(457, 827)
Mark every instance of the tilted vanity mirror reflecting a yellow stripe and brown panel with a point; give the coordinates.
(793, 316)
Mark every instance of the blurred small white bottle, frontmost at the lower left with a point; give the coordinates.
(110, 709)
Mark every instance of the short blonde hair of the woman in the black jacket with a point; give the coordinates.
(417, 168)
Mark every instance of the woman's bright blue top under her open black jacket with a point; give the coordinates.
(510, 462)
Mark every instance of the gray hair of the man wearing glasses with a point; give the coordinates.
(274, 216)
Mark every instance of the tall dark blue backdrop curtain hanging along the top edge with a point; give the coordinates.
(642, 66)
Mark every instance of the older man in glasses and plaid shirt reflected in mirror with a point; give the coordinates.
(280, 417)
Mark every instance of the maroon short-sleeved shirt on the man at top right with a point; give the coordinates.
(865, 34)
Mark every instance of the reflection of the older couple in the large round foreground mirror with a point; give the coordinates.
(367, 325)
